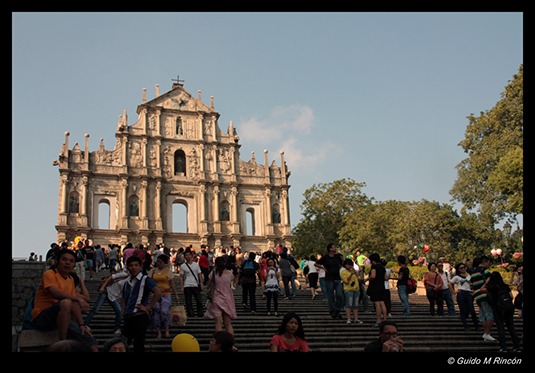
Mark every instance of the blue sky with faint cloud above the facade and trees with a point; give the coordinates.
(381, 98)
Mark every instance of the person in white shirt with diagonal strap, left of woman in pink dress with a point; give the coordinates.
(191, 284)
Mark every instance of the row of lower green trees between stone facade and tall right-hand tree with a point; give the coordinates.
(340, 213)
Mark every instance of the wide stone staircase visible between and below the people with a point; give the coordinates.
(420, 332)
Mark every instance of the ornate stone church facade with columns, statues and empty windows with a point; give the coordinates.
(175, 153)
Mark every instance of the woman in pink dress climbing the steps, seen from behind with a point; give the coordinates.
(221, 307)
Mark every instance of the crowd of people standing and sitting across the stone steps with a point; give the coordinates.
(141, 287)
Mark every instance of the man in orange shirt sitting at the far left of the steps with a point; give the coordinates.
(56, 300)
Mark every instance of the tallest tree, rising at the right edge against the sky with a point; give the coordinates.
(491, 178)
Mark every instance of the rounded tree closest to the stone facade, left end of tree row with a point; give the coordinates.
(323, 209)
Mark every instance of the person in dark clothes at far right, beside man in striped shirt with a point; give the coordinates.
(501, 300)
